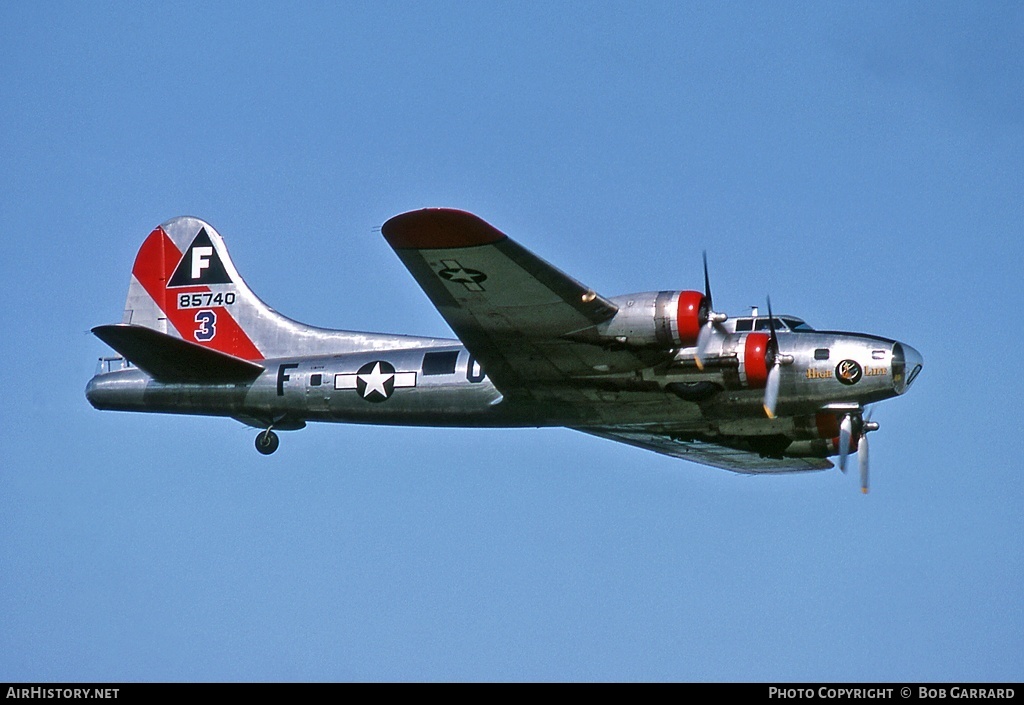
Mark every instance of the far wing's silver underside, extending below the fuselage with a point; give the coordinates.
(705, 453)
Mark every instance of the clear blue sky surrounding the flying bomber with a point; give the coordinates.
(861, 162)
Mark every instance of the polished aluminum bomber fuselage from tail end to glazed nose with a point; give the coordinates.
(330, 388)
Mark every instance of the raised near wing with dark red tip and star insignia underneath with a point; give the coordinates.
(522, 318)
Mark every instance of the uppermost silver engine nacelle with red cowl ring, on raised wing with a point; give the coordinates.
(662, 319)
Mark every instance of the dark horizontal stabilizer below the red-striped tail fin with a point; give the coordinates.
(168, 359)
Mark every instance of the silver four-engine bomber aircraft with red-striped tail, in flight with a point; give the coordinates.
(660, 370)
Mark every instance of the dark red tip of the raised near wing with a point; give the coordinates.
(438, 229)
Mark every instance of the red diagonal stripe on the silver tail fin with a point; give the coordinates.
(156, 263)
